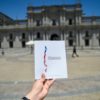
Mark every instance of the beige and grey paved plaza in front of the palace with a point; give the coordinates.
(17, 76)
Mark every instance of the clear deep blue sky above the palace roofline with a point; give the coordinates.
(17, 9)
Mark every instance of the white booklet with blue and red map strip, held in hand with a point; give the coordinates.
(50, 59)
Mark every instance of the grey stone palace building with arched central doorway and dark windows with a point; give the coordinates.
(56, 22)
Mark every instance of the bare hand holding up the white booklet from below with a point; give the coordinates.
(40, 88)
